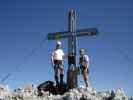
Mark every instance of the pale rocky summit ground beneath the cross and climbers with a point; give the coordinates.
(80, 93)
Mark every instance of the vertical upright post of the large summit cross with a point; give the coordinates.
(71, 74)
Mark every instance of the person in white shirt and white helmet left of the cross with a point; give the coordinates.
(57, 63)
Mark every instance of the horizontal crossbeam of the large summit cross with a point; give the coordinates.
(79, 33)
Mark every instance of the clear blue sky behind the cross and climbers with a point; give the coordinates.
(25, 23)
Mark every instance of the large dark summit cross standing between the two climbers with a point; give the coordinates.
(72, 35)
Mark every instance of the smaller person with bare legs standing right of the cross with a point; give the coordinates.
(84, 64)
